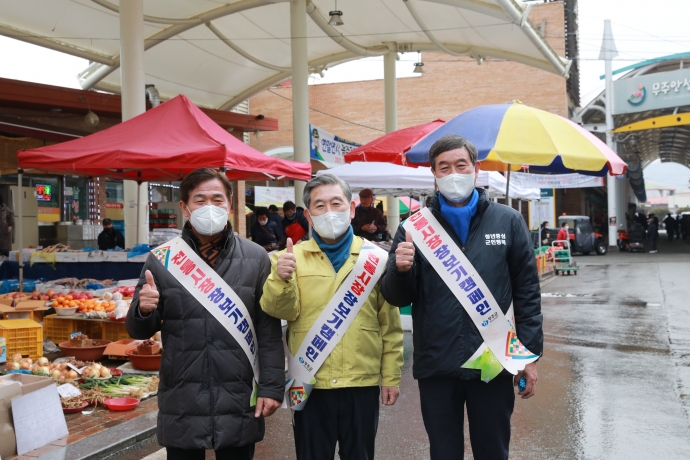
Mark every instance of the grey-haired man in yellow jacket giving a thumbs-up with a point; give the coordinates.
(343, 406)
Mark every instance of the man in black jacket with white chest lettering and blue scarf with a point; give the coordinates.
(496, 241)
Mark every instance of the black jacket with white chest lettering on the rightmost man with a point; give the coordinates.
(444, 335)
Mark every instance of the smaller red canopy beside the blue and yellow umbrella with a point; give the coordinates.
(391, 148)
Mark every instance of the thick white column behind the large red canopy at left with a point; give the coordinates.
(133, 104)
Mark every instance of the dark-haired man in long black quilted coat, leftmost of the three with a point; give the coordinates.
(208, 381)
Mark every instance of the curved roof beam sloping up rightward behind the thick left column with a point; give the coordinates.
(88, 80)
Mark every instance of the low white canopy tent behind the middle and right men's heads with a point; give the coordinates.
(396, 180)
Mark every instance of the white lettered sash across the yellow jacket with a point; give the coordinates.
(332, 324)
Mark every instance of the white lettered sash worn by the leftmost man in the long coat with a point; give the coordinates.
(214, 294)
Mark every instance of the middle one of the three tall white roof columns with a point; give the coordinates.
(300, 88)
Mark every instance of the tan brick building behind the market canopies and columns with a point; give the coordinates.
(449, 86)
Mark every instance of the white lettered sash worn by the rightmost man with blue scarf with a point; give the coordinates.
(501, 348)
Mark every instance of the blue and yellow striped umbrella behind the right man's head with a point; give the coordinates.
(516, 135)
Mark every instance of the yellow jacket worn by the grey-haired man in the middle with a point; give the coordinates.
(371, 351)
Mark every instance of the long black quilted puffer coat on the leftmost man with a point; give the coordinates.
(206, 379)
